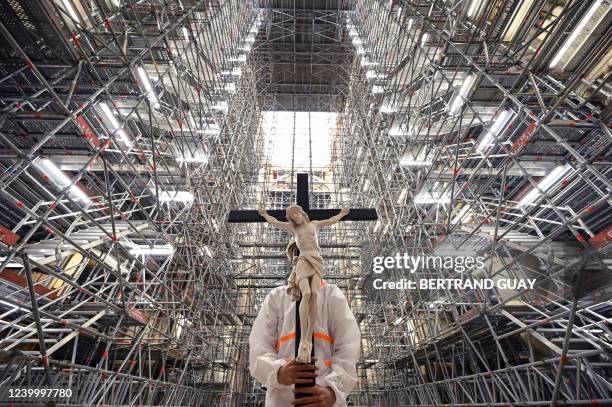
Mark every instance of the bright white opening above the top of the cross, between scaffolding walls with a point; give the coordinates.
(313, 133)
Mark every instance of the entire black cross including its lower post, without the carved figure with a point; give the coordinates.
(249, 216)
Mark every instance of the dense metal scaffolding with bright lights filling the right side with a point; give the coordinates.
(474, 141)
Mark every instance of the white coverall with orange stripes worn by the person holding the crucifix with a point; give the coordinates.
(337, 344)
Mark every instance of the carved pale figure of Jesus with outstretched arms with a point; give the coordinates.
(307, 271)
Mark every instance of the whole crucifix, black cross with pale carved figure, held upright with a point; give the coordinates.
(307, 261)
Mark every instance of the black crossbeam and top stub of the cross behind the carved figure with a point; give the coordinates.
(249, 216)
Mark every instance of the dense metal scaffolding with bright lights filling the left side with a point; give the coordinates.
(123, 125)
